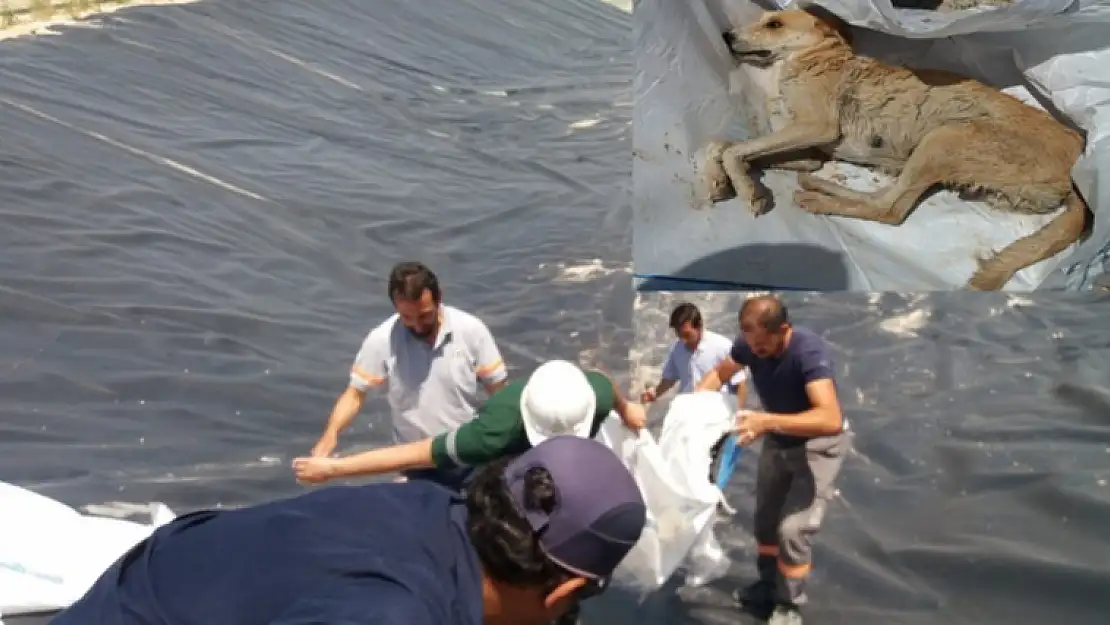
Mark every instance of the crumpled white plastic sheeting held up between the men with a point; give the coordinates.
(673, 476)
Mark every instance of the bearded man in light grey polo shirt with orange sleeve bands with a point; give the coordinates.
(432, 358)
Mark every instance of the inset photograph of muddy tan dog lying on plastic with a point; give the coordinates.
(863, 146)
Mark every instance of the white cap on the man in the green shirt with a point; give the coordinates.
(558, 400)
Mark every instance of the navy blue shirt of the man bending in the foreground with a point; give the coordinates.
(378, 555)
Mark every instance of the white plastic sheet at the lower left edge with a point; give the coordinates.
(51, 555)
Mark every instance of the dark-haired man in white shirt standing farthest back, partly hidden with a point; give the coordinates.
(695, 354)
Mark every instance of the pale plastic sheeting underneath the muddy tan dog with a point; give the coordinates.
(689, 92)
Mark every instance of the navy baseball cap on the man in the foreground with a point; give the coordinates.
(600, 512)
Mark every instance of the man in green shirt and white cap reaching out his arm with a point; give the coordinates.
(558, 399)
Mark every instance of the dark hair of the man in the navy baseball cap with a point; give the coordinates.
(506, 543)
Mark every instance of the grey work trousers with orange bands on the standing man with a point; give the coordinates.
(794, 486)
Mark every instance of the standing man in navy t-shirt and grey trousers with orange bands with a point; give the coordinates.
(805, 441)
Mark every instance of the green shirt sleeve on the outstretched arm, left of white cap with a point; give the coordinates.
(497, 432)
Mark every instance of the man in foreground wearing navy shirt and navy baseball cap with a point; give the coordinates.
(531, 538)
